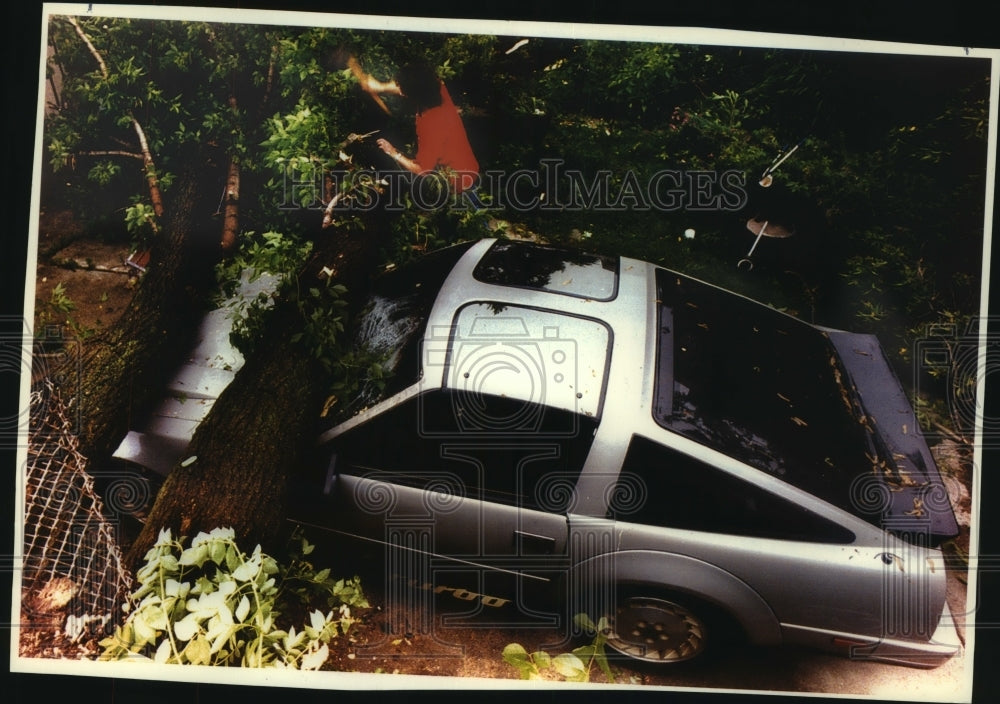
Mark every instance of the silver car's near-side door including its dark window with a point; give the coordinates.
(487, 513)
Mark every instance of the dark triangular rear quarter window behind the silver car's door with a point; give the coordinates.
(674, 490)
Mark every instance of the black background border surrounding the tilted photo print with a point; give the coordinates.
(949, 24)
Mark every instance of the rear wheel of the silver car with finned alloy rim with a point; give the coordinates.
(660, 629)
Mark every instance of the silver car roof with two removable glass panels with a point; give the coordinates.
(516, 294)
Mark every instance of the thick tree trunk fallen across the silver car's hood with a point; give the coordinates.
(261, 427)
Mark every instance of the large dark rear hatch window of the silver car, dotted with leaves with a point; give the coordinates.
(759, 386)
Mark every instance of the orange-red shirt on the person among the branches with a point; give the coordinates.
(443, 143)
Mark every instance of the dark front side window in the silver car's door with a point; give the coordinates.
(425, 443)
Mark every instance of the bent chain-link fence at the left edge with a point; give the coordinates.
(73, 575)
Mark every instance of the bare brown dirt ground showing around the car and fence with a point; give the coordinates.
(98, 286)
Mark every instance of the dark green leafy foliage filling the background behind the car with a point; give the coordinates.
(884, 193)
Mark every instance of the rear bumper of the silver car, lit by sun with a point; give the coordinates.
(938, 649)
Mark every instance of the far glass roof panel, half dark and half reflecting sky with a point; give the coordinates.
(533, 266)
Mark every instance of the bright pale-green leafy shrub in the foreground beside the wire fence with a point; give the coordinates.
(211, 604)
